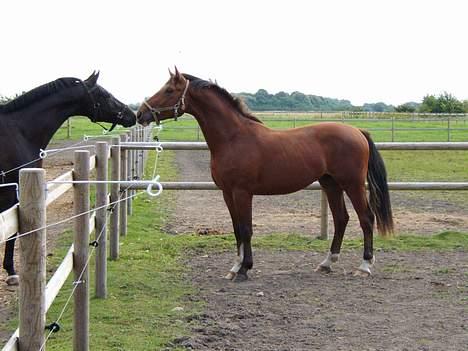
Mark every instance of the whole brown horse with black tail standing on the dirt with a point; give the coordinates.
(248, 158)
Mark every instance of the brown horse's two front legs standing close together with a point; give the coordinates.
(240, 207)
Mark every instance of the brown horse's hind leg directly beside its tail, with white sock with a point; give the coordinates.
(357, 195)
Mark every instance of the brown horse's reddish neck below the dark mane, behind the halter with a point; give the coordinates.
(219, 122)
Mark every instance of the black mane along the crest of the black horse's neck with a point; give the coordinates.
(38, 93)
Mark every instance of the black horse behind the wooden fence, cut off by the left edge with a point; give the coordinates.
(28, 123)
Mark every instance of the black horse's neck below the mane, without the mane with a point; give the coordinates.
(39, 122)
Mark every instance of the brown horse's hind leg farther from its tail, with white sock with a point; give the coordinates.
(340, 220)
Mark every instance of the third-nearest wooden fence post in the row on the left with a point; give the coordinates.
(102, 151)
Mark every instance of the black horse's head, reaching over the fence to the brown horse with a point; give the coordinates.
(103, 107)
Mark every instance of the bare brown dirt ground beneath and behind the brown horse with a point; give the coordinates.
(413, 301)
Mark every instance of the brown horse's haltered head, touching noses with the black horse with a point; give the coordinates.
(168, 102)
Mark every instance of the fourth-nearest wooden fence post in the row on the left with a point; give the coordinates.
(114, 218)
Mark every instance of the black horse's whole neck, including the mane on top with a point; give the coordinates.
(39, 120)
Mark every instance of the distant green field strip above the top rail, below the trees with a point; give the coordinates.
(383, 127)
